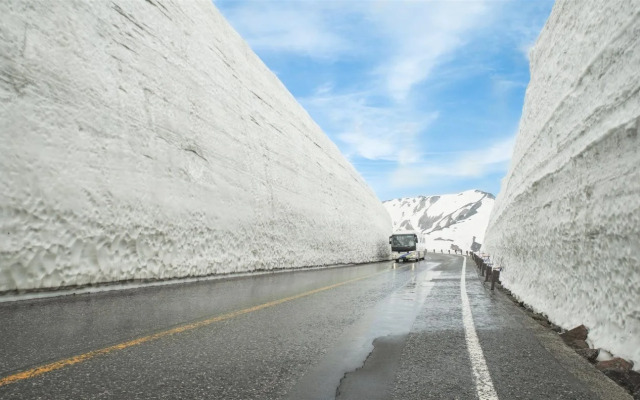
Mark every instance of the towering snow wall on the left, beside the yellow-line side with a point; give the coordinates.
(145, 140)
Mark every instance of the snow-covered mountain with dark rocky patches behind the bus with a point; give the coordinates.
(447, 221)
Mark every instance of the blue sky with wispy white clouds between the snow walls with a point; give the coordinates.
(423, 97)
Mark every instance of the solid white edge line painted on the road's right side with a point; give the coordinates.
(484, 385)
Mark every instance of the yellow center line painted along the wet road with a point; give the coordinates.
(43, 369)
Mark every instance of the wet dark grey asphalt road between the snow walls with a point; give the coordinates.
(371, 331)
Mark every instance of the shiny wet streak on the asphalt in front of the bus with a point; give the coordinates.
(393, 316)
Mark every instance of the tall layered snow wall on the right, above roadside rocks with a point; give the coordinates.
(566, 224)
